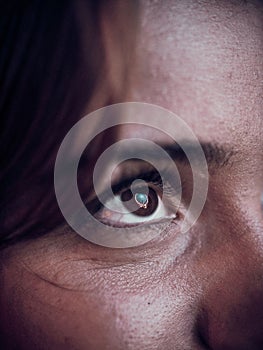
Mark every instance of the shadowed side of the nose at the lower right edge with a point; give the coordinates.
(233, 298)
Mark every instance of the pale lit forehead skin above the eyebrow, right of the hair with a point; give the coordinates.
(203, 60)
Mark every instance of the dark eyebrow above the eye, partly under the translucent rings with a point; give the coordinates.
(216, 155)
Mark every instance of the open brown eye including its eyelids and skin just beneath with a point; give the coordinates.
(139, 205)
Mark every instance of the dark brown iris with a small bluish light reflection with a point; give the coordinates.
(146, 201)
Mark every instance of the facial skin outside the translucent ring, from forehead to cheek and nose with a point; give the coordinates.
(203, 289)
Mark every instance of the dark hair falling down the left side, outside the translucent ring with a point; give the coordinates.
(58, 61)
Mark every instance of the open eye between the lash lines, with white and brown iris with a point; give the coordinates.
(137, 206)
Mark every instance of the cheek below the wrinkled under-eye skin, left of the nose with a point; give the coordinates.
(37, 313)
